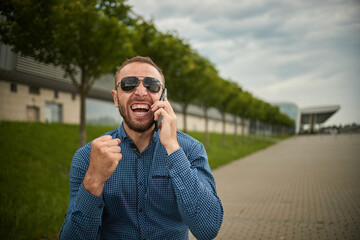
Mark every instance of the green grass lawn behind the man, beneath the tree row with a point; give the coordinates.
(35, 160)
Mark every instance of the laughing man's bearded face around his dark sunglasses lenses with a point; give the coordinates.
(135, 106)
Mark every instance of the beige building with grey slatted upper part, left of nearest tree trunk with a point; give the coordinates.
(27, 97)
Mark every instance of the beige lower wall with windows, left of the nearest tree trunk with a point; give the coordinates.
(21, 102)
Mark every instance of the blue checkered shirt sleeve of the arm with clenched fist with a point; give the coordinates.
(83, 218)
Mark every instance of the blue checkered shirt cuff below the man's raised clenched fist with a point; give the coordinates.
(89, 204)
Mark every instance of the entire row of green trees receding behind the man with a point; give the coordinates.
(91, 37)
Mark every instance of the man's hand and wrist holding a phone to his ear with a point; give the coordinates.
(168, 129)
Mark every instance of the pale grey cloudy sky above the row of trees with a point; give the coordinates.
(300, 51)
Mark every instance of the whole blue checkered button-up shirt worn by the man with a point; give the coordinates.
(151, 195)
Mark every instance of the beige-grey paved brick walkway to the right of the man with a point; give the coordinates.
(306, 187)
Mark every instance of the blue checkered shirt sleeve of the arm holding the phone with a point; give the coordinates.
(195, 190)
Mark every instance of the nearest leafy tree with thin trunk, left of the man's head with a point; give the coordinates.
(86, 38)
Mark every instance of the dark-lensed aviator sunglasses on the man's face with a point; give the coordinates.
(128, 84)
